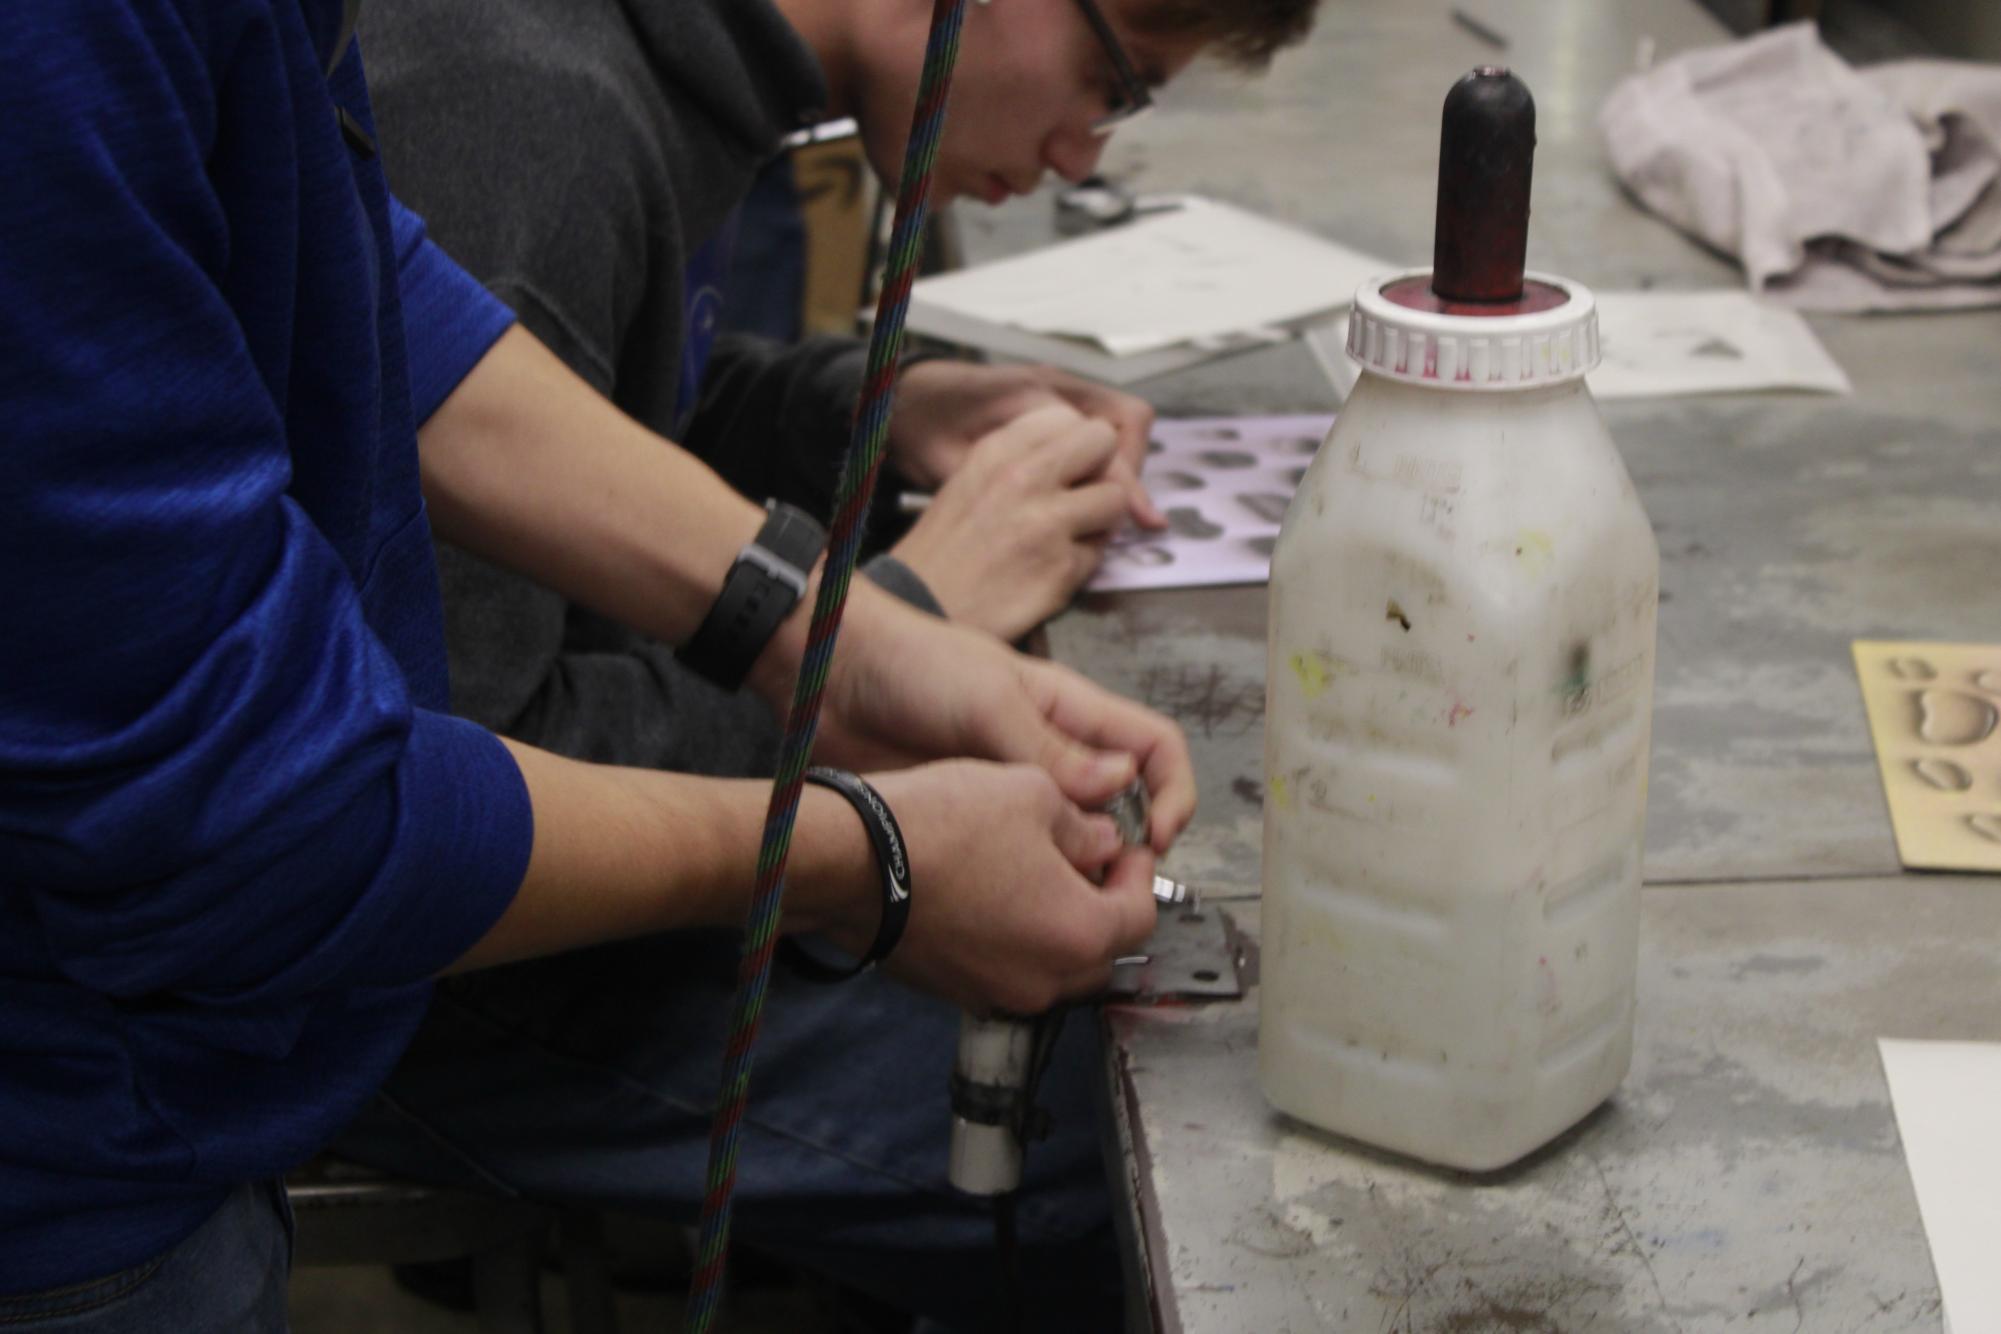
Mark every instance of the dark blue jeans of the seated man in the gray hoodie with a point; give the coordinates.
(591, 1079)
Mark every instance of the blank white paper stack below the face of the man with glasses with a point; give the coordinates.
(1198, 273)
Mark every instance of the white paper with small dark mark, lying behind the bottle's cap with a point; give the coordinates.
(1668, 345)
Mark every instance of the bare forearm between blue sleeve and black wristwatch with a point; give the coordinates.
(533, 469)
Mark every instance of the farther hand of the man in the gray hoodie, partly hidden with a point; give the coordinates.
(943, 409)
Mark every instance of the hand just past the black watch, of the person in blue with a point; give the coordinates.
(905, 689)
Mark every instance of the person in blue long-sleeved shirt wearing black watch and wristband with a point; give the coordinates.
(239, 829)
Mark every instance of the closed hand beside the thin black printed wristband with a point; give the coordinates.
(1006, 913)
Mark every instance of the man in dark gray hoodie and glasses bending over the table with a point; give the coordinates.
(583, 159)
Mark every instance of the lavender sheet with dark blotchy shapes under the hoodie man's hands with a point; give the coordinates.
(1224, 485)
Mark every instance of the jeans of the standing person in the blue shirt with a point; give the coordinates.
(227, 1275)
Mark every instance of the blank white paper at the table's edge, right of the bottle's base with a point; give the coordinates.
(1948, 1097)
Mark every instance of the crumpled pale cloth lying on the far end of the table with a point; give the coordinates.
(1838, 189)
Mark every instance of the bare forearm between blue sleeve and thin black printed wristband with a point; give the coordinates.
(625, 853)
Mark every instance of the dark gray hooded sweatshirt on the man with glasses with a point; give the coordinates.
(573, 155)
